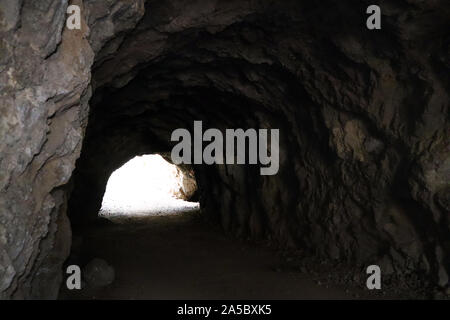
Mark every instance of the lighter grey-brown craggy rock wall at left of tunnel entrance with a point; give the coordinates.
(45, 74)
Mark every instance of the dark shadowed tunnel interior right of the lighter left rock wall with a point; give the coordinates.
(346, 195)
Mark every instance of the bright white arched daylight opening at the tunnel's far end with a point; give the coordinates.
(145, 185)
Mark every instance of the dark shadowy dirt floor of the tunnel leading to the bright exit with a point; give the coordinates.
(182, 257)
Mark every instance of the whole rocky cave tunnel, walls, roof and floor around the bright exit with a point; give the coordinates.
(363, 175)
